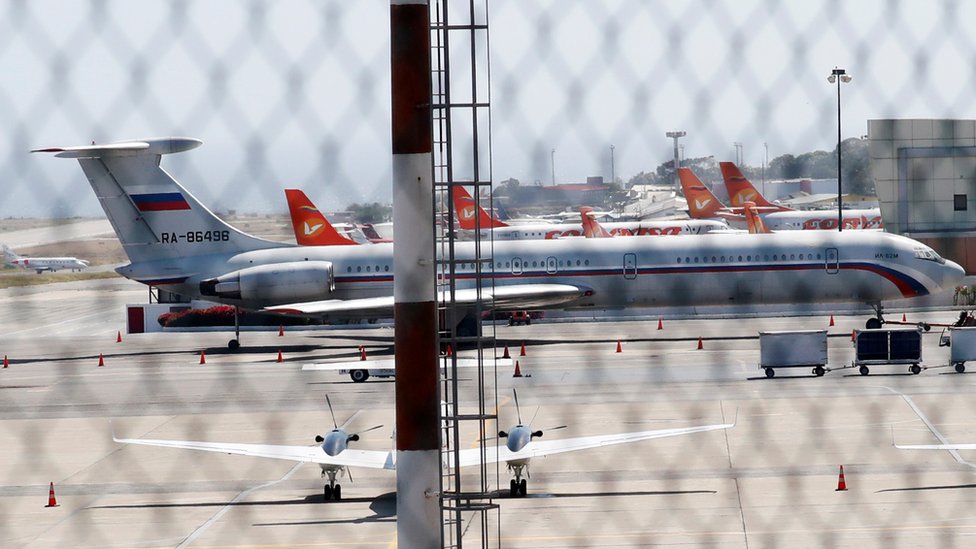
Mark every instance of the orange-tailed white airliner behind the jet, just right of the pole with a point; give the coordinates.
(467, 211)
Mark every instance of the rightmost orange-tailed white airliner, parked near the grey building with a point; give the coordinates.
(778, 217)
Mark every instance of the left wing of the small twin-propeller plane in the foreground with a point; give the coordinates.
(373, 459)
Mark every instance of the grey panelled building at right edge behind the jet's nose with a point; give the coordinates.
(925, 176)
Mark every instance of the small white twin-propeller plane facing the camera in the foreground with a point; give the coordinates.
(334, 456)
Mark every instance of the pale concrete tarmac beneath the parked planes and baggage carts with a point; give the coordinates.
(770, 481)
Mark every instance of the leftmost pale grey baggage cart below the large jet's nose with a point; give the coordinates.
(793, 349)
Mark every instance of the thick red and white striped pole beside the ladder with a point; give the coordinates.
(415, 311)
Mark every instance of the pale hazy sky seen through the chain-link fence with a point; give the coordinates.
(295, 93)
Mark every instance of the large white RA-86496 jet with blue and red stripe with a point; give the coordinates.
(171, 239)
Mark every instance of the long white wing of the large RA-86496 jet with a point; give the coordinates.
(521, 296)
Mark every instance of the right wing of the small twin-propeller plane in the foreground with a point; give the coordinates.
(542, 448)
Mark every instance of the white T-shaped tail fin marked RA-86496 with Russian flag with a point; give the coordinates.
(153, 216)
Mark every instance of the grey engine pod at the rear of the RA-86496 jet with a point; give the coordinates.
(280, 282)
